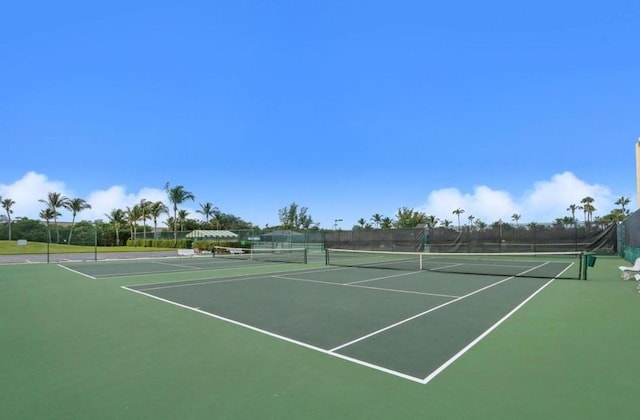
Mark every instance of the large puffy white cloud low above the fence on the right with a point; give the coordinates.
(545, 202)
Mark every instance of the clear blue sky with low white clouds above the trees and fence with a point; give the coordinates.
(347, 108)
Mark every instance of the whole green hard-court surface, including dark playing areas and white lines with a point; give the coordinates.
(245, 340)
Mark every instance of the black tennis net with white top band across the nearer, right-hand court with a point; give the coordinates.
(542, 265)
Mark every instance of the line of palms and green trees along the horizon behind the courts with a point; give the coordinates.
(124, 224)
